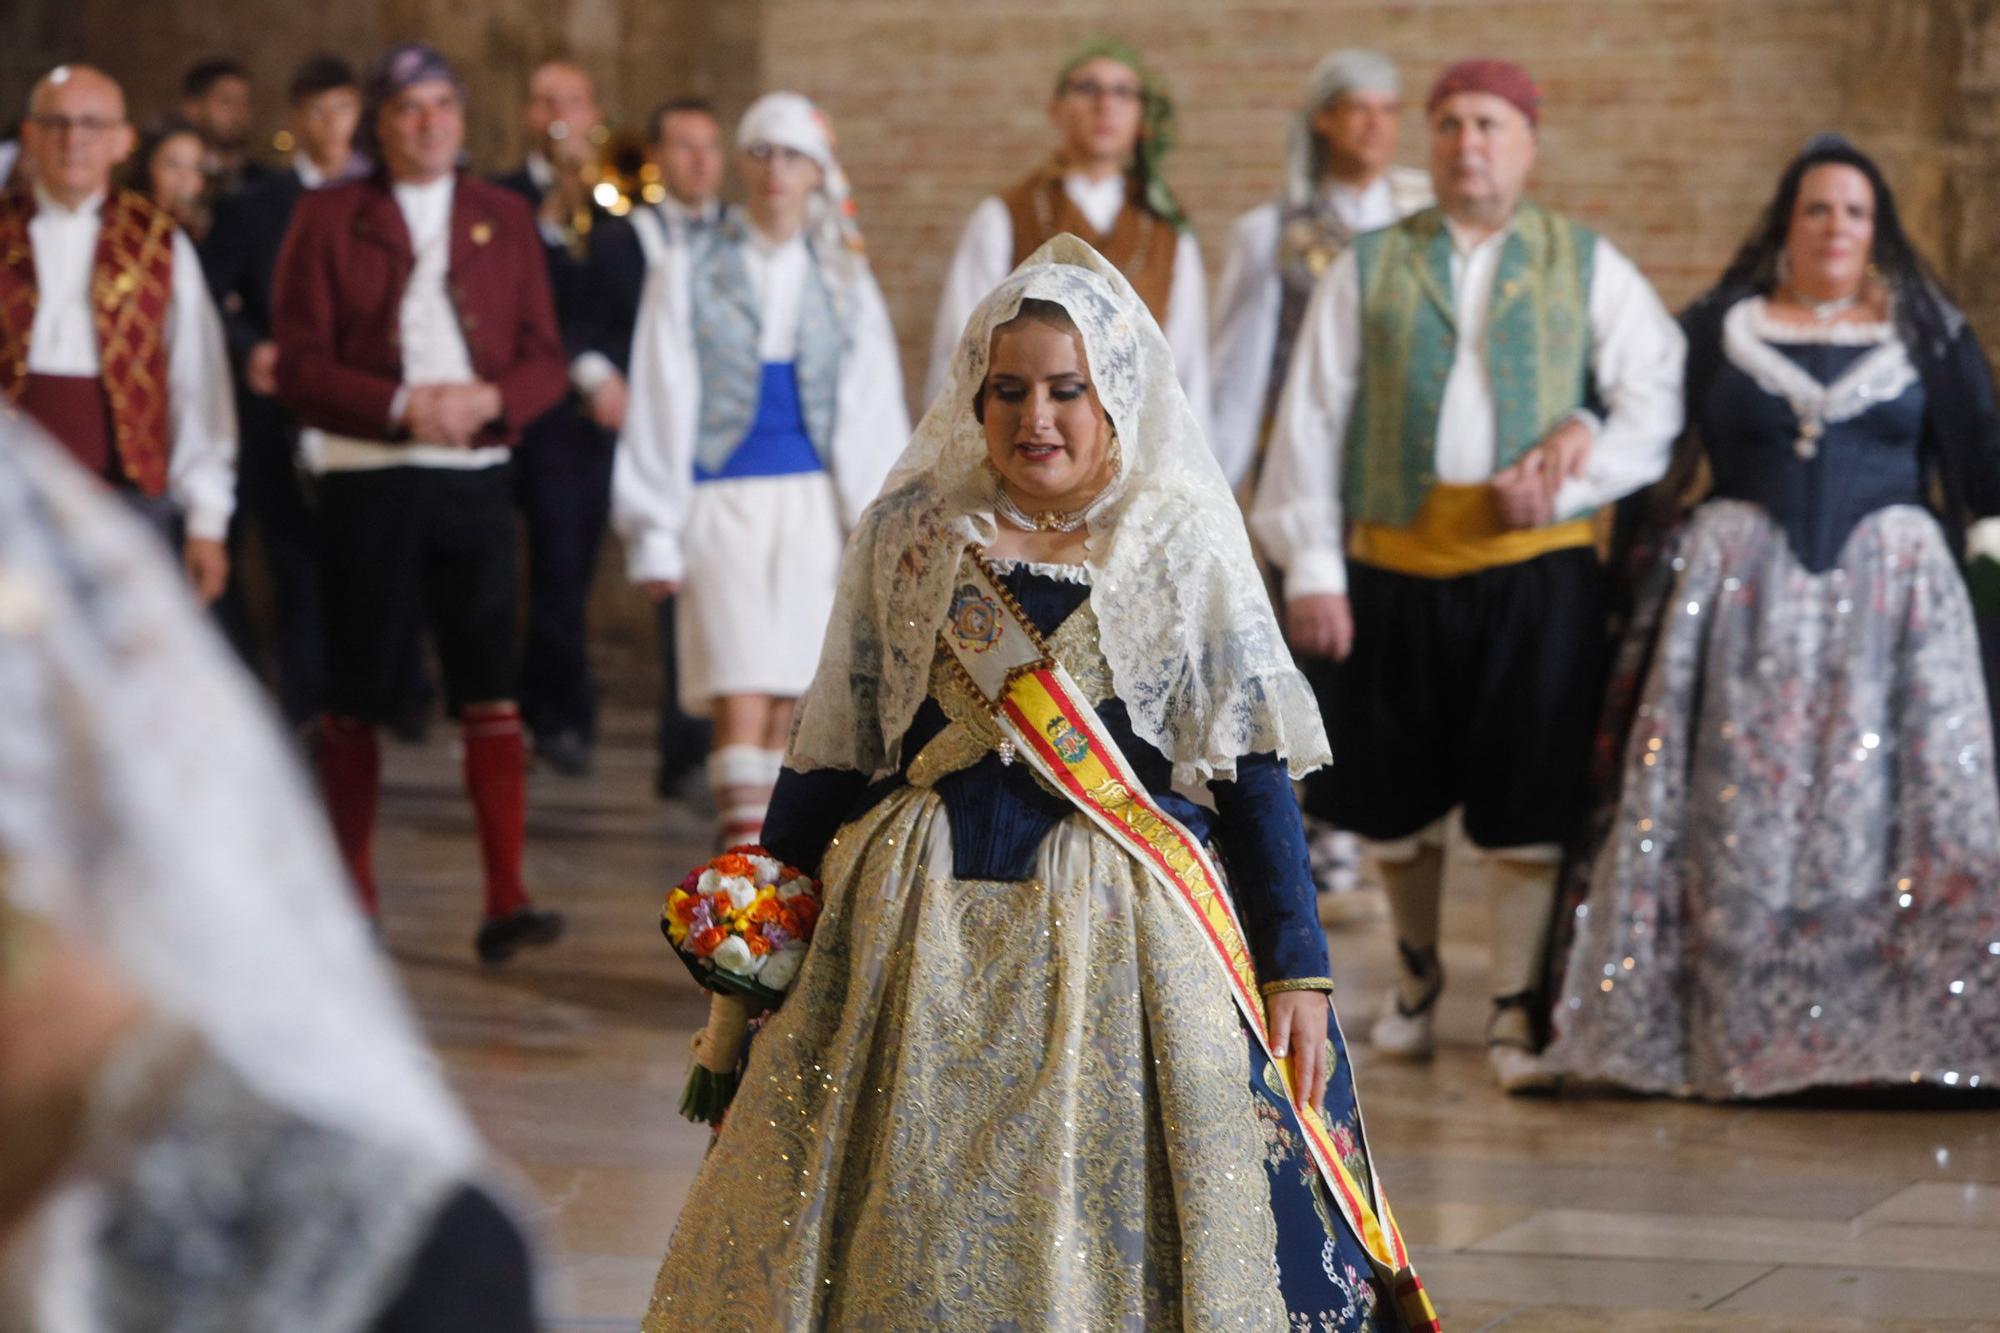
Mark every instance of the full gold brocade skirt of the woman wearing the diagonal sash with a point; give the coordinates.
(1009, 1106)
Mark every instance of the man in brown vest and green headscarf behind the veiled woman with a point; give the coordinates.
(1105, 185)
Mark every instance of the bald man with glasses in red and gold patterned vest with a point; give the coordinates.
(107, 331)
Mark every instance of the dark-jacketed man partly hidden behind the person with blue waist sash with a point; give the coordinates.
(685, 141)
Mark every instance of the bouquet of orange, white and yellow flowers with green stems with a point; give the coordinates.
(741, 924)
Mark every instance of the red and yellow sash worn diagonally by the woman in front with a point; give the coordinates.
(1047, 722)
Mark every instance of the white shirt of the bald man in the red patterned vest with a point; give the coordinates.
(201, 403)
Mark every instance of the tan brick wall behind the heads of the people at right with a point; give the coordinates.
(1665, 123)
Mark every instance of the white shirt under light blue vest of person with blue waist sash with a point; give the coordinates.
(653, 475)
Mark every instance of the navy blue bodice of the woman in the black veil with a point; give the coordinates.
(1861, 465)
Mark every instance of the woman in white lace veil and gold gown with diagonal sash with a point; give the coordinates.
(1031, 1070)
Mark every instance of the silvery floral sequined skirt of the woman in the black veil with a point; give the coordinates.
(1801, 886)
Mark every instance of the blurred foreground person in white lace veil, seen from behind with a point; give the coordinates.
(217, 1112)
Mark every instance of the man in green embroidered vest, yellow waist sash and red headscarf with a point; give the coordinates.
(1469, 387)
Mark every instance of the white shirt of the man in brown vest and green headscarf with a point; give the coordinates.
(987, 255)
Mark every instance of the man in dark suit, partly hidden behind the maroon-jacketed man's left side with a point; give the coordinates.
(241, 255)
